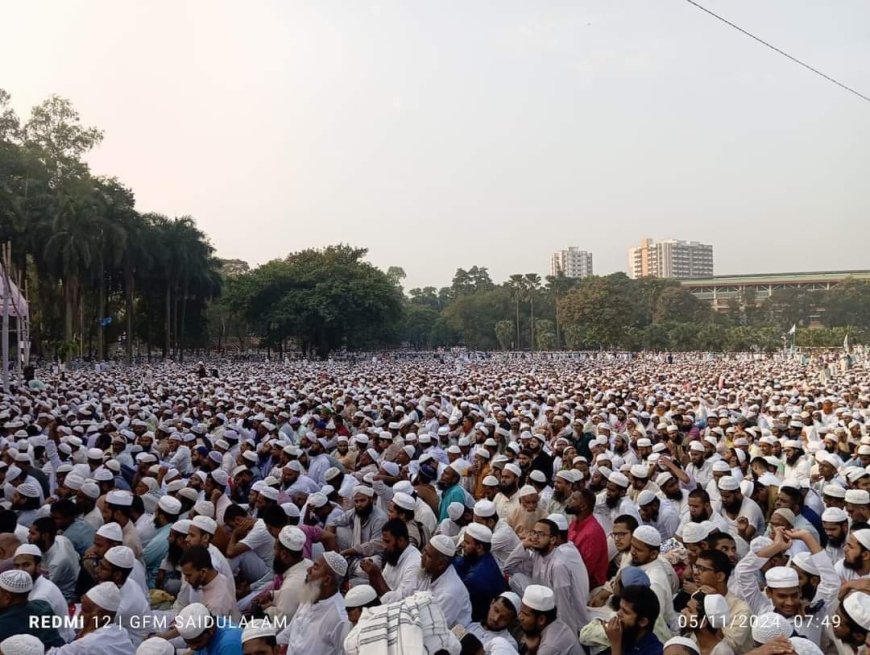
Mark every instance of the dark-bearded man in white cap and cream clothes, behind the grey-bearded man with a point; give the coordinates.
(289, 563)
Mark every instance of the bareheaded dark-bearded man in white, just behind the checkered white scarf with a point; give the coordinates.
(398, 580)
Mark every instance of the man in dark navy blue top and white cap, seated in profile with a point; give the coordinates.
(478, 570)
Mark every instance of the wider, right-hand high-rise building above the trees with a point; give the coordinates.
(677, 259)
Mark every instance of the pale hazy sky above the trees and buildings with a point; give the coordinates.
(450, 133)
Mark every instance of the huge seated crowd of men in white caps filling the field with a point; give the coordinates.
(499, 505)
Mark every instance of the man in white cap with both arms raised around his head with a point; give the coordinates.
(783, 590)
